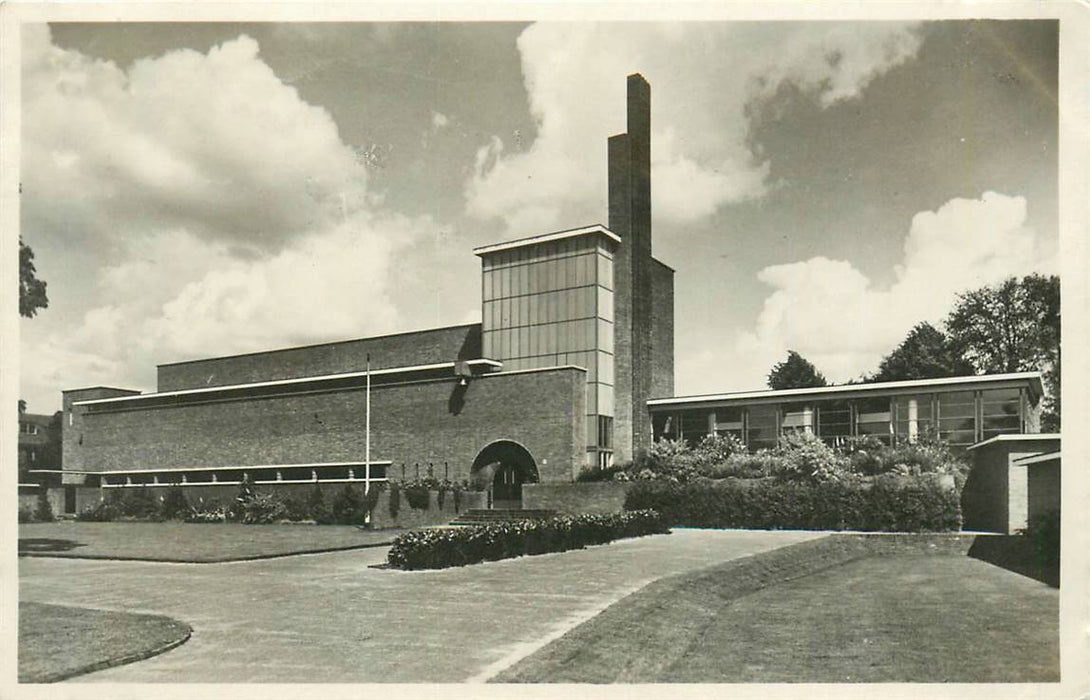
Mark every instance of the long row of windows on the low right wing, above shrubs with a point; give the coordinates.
(959, 418)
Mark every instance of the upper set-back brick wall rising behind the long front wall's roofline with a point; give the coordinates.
(406, 349)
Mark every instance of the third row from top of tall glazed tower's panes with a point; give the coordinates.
(529, 342)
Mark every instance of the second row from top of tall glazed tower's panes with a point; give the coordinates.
(567, 305)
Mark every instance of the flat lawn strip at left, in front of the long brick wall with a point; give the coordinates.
(190, 542)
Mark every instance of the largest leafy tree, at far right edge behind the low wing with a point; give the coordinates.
(1013, 328)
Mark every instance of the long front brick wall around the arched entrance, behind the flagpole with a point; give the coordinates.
(423, 423)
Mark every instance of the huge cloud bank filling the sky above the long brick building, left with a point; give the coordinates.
(224, 214)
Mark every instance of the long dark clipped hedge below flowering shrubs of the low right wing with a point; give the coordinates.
(889, 504)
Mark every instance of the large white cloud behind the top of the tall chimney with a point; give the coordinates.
(575, 79)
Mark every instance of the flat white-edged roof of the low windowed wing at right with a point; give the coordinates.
(876, 388)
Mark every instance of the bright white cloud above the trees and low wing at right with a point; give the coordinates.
(841, 321)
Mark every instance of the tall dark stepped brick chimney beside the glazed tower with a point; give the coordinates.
(631, 220)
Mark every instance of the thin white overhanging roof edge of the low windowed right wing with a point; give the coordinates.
(1033, 380)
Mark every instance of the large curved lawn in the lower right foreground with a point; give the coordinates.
(907, 617)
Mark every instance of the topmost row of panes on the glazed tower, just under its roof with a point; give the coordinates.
(535, 279)
